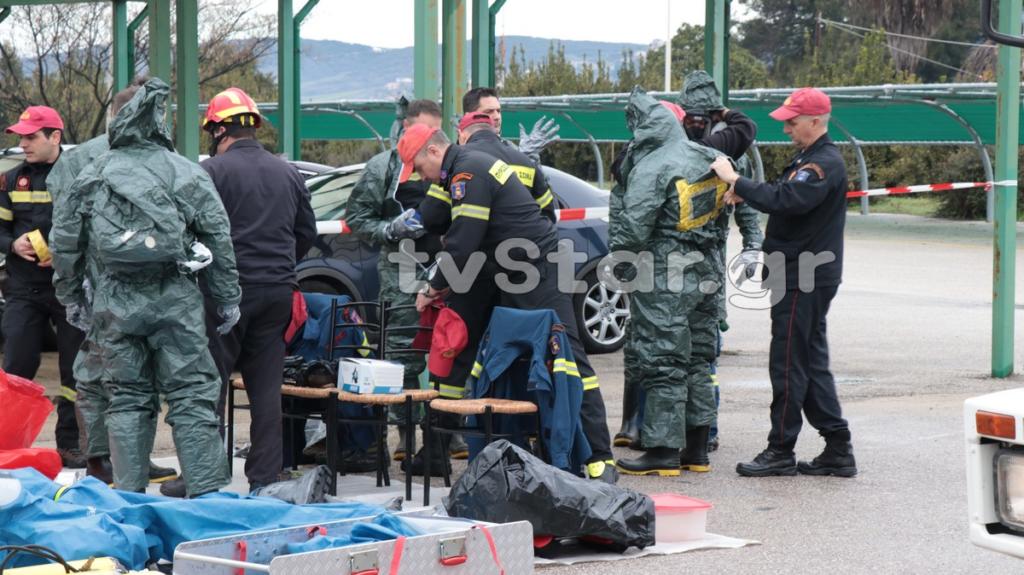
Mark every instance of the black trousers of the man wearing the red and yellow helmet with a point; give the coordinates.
(257, 348)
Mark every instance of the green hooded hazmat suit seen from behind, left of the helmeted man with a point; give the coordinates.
(148, 321)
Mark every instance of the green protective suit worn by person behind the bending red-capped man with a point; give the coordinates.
(371, 208)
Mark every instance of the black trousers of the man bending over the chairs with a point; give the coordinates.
(476, 306)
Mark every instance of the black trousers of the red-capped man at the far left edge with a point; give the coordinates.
(26, 322)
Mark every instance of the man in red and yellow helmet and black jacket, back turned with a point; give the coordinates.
(273, 228)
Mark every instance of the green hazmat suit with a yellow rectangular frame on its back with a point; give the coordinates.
(665, 208)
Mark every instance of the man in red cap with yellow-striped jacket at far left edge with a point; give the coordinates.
(26, 214)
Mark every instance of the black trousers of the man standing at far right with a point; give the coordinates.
(802, 384)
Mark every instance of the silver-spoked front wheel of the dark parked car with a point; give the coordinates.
(603, 317)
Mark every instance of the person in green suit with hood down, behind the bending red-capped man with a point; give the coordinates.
(383, 212)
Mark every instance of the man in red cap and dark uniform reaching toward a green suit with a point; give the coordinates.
(807, 208)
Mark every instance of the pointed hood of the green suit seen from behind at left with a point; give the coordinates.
(143, 121)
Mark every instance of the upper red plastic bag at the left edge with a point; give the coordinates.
(24, 410)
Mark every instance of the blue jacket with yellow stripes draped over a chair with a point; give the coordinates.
(529, 358)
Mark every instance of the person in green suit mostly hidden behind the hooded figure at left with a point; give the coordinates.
(92, 402)
